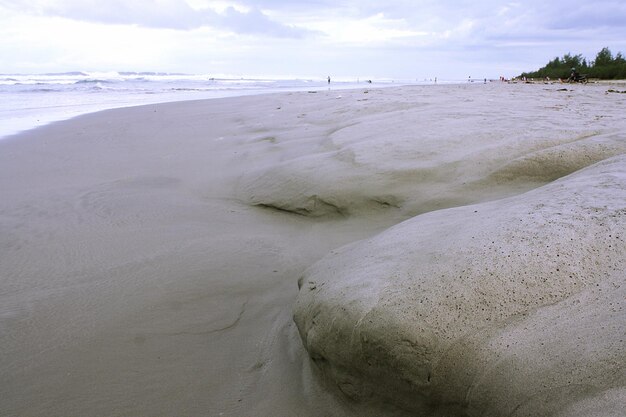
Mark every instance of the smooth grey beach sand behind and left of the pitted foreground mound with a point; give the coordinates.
(150, 256)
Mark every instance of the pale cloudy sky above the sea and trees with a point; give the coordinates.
(347, 39)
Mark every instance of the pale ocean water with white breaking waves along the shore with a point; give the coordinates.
(29, 101)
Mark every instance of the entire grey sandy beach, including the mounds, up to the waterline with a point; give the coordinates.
(153, 258)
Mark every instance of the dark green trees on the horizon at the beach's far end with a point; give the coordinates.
(605, 67)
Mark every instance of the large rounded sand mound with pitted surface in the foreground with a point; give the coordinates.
(513, 307)
